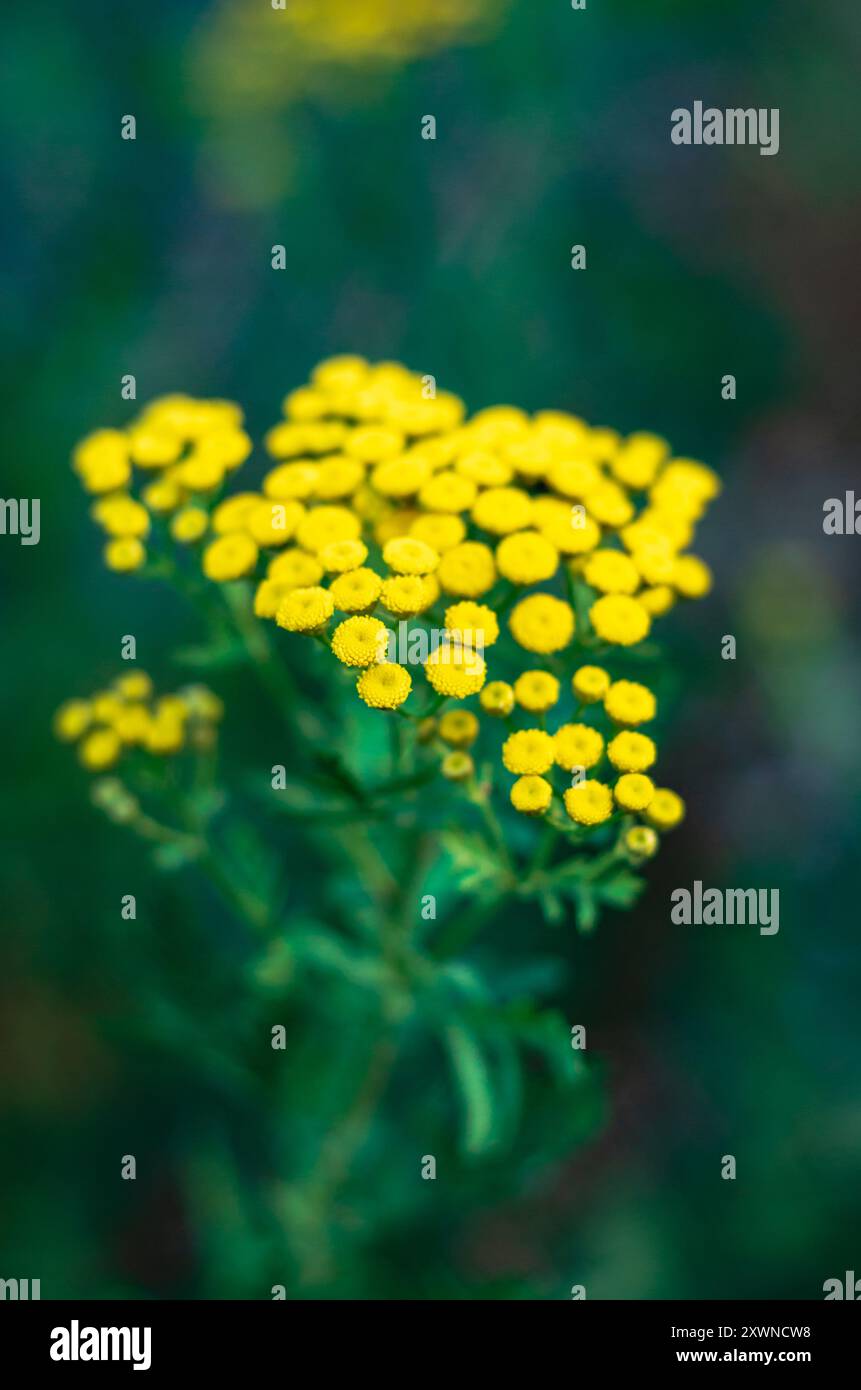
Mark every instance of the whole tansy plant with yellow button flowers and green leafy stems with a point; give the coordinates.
(453, 616)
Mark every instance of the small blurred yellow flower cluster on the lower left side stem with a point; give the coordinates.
(127, 717)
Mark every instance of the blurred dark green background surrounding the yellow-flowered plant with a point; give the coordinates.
(454, 256)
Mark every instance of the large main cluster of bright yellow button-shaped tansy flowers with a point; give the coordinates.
(515, 546)
